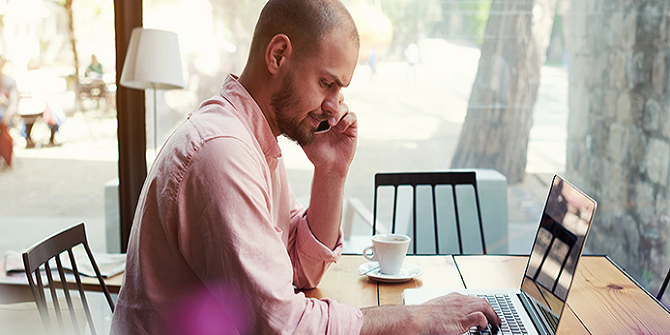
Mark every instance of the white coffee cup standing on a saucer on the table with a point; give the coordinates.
(389, 250)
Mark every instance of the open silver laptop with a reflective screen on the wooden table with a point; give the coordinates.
(536, 307)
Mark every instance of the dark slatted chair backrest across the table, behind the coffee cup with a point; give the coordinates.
(432, 179)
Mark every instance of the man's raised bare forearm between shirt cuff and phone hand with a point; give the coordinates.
(325, 207)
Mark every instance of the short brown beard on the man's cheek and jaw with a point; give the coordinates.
(283, 104)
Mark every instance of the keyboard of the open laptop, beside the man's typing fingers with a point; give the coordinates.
(511, 322)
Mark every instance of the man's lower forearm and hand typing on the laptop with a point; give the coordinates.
(450, 314)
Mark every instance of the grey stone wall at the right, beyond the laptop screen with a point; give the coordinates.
(619, 128)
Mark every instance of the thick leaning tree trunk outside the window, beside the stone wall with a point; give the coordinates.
(497, 125)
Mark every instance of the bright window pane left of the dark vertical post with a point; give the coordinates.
(64, 131)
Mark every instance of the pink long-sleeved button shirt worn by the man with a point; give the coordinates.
(219, 240)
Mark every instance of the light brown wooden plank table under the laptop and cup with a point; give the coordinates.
(603, 300)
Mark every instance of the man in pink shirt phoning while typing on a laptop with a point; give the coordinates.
(219, 240)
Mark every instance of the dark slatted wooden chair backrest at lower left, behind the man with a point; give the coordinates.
(38, 261)
